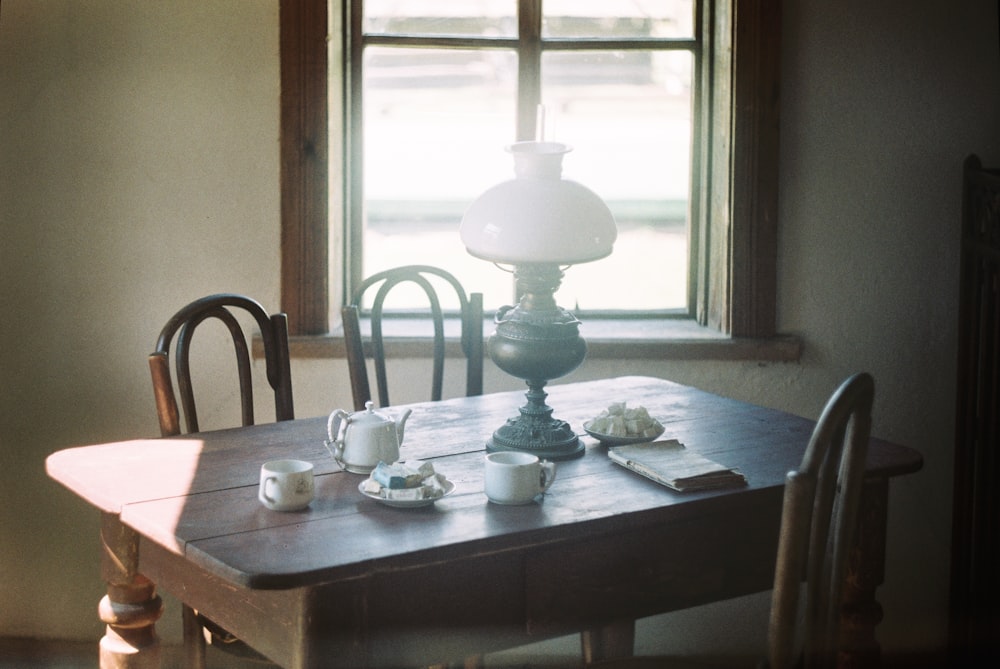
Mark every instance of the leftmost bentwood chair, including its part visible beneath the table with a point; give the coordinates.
(273, 330)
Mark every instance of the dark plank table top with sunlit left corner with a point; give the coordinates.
(196, 495)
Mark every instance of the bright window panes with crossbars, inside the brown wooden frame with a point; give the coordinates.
(439, 87)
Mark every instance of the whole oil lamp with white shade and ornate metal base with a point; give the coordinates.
(538, 223)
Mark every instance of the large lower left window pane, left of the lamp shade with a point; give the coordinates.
(435, 124)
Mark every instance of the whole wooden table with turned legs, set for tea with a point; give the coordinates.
(350, 582)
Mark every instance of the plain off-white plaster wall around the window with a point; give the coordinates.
(139, 169)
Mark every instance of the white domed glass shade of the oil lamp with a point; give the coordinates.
(538, 217)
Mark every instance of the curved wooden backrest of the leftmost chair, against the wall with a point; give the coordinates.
(274, 335)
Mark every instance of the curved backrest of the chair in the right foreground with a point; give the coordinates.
(818, 524)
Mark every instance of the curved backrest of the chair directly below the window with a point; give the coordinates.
(471, 311)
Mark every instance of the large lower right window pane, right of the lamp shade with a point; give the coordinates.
(627, 115)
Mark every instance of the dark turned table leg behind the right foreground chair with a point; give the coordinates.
(861, 612)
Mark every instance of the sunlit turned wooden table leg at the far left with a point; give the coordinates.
(131, 607)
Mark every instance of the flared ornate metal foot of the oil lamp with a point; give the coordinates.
(535, 431)
